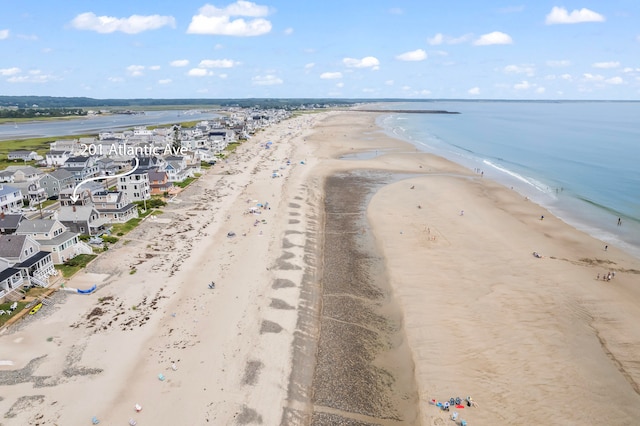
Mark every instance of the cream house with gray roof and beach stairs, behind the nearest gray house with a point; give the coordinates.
(54, 238)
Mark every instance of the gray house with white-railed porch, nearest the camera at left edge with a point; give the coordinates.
(23, 252)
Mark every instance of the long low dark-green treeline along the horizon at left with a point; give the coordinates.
(81, 102)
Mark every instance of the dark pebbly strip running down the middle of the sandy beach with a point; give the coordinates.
(363, 369)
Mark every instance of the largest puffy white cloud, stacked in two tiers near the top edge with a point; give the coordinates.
(213, 20)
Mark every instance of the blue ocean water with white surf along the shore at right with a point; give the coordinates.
(580, 160)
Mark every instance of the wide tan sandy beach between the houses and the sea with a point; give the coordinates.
(371, 280)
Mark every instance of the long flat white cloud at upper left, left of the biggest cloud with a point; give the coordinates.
(132, 25)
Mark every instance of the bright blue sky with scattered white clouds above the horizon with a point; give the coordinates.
(585, 49)
